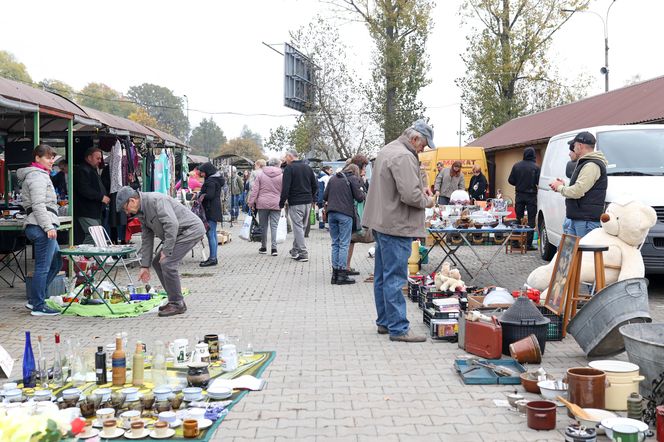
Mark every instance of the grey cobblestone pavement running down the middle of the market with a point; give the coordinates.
(333, 377)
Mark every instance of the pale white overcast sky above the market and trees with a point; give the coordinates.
(212, 51)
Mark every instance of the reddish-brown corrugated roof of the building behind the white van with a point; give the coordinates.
(638, 103)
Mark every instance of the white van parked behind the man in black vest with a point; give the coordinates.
(635, 154)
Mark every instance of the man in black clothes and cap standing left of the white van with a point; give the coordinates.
(525, 177)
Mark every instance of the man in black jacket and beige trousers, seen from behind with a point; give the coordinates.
(299, 189)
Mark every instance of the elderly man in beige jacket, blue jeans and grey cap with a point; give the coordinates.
(394, 209)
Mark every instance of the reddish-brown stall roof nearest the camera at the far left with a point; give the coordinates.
(18, 103)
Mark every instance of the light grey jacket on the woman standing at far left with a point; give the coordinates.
(39, 198)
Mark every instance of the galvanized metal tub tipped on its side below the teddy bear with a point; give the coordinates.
(596, 326)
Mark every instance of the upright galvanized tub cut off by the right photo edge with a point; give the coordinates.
(645, 347)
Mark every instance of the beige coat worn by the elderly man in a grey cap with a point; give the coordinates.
(396, 200)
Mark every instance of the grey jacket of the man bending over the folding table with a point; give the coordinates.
(167, 219)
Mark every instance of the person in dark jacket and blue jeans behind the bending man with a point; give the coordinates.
(211, 194)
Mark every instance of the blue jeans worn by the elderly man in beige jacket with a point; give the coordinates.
(390, 275)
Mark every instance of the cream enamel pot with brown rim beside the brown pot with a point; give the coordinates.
(622, 379)
